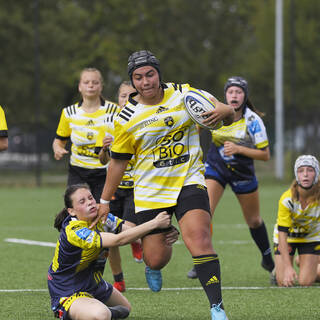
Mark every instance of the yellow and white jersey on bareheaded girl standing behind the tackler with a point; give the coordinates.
(83, 129)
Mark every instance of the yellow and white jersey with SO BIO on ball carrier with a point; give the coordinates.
(165, 144)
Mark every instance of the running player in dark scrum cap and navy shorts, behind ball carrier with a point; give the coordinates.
(230, 160)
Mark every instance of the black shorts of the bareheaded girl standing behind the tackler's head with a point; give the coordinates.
(95, 178)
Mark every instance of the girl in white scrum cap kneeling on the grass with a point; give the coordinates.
(298, 226)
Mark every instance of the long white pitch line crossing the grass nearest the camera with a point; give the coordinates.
(170, 289)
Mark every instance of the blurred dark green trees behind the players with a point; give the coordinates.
(46, 43)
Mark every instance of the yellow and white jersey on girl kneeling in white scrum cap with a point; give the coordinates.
(302, 225)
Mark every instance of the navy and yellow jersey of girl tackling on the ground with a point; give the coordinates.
(72, 269)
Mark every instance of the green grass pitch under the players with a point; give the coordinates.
(28, 213)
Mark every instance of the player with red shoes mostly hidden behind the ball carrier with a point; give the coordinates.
(122, 204)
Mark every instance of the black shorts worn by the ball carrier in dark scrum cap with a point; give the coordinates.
(191, 197)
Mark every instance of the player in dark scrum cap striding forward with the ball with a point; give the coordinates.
(155, 128)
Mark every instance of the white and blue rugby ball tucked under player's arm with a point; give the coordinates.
(197, 102)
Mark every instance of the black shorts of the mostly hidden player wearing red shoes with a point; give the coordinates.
(122, 205)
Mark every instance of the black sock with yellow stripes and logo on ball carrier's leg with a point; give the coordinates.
(208, 272)
